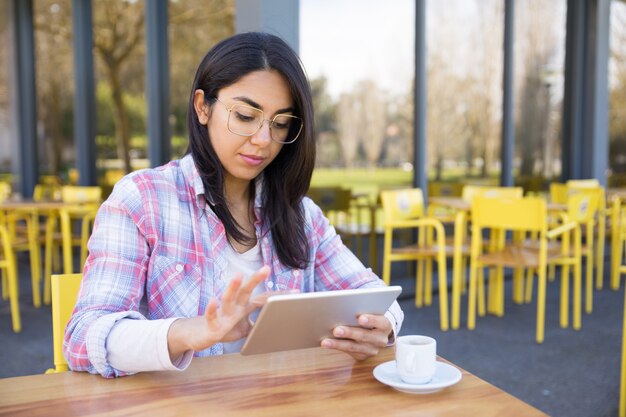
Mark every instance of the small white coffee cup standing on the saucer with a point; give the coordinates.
(416, 358)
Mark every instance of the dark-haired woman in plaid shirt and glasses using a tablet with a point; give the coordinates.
(171, 246)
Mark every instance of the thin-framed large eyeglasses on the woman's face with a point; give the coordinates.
(244, 120)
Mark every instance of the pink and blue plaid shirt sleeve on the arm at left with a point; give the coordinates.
(113, 280)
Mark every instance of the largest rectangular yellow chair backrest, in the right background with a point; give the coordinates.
(526, 213)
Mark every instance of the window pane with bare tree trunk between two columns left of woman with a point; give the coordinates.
(119, 59)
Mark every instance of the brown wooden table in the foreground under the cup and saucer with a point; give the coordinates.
(311, 382)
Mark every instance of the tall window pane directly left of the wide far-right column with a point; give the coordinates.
(538, 76)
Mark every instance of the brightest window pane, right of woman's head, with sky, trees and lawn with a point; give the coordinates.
(361, 77)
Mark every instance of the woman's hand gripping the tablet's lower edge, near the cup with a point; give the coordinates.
(361, 341)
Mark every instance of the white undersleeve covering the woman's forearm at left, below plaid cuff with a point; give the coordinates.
(141, 345)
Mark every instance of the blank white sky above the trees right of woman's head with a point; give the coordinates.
(353, 40)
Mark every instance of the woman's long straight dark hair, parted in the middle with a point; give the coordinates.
(287, 178)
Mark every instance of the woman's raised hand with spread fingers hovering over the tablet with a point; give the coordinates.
(220, 323)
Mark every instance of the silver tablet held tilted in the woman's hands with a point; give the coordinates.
(298, 321)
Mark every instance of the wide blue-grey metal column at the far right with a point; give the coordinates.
(585, 103)
